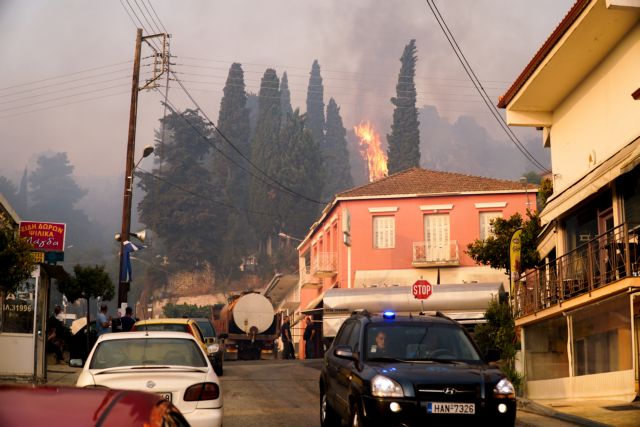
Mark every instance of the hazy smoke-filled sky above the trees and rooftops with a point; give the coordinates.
(357, 43)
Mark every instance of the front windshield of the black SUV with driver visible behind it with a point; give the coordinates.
(419, 342)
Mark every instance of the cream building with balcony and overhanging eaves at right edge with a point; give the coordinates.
(579, 314)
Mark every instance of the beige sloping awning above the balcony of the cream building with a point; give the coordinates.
(621, 162)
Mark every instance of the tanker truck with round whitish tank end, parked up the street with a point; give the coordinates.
(250, 323)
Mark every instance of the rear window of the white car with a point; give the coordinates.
(147, 352)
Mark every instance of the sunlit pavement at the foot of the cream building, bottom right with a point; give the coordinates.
(593, 413)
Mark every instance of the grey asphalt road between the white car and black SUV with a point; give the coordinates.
(284, 393)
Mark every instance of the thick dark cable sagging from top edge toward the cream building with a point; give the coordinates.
(476, 82)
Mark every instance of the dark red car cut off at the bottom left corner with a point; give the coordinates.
(71, 406)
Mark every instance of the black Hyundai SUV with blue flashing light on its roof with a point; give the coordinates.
(409, 371)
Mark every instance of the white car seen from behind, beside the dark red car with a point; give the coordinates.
(172, 364)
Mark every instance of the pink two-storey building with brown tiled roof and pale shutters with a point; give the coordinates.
(411, 225)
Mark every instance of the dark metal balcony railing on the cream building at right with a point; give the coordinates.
(605, 259)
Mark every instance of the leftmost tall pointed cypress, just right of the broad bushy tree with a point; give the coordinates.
(233, 123)
